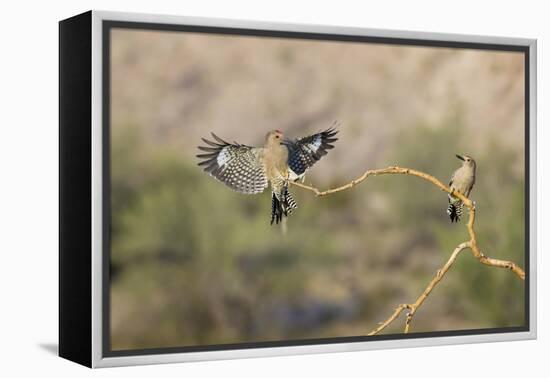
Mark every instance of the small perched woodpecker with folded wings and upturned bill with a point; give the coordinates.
(462, 180)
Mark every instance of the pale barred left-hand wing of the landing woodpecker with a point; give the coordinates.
(237, 166)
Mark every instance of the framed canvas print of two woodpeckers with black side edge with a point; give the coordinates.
(236, 189)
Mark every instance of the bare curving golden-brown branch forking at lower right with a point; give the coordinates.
(471, 244)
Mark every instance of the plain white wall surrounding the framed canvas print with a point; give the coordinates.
(28, 162)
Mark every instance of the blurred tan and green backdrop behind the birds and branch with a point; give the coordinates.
(194, 263)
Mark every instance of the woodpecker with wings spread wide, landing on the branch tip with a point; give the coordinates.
(250, 170)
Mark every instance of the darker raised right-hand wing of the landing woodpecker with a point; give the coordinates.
(305, 152)
